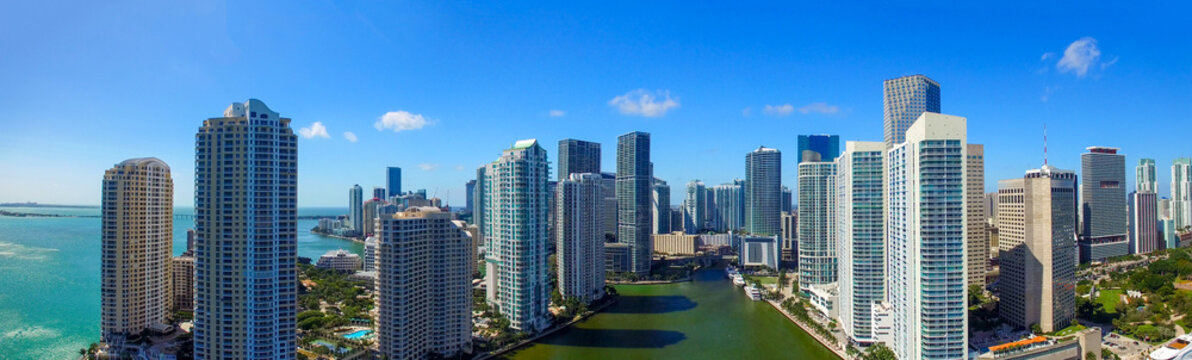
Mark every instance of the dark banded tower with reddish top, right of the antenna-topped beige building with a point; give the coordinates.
(1103, 206)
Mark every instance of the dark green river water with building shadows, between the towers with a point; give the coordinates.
(706, 319)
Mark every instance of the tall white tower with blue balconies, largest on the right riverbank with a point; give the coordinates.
(927, 280)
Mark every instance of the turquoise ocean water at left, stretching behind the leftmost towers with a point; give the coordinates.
(49, 277)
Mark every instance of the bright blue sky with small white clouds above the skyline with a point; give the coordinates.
(86, 85)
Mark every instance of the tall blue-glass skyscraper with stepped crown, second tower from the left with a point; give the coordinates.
(246, 220)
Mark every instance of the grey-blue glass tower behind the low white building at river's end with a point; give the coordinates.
(763, 191)
